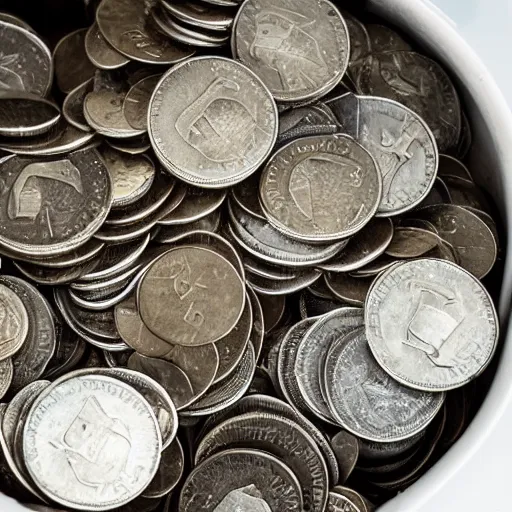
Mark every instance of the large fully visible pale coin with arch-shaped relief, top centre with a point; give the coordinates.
(222, 130)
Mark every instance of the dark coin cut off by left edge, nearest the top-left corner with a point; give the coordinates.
(26, 64)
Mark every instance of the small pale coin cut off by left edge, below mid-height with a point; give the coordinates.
(14, 326)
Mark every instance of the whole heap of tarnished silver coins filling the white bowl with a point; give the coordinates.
(250, 281)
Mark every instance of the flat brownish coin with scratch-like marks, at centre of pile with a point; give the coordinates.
(178, 296)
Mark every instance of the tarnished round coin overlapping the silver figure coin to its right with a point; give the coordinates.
(321, 188)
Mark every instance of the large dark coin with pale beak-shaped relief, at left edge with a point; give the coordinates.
(54, 206)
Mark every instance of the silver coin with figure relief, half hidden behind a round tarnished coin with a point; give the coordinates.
(400, 141)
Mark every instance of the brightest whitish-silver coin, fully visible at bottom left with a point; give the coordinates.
(89, 433)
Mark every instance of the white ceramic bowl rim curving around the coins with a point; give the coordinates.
(474, 475)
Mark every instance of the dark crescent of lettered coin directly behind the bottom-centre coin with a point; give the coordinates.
(280, 437)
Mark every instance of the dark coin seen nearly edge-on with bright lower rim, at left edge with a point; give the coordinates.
(26, 115)
